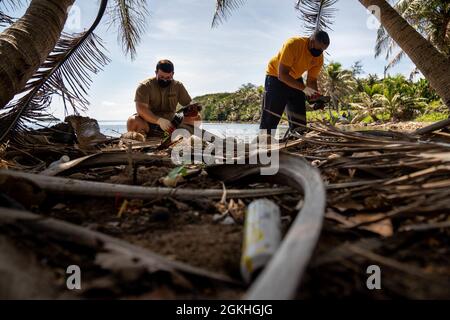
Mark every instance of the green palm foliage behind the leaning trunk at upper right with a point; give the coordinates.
(430, 17)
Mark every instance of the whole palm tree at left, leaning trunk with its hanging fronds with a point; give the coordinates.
(38, 64)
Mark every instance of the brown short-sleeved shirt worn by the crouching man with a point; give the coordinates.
(162, 101)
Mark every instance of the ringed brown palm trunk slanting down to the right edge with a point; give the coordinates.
(434, 65)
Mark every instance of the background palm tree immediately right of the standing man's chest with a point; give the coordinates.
(337, 83)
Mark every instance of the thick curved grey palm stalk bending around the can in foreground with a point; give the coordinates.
(281, 277)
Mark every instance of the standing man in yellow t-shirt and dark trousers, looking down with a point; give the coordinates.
(284, 86)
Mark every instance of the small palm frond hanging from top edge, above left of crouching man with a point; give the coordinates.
(130, 17)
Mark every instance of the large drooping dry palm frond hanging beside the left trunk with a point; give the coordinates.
(65, 72)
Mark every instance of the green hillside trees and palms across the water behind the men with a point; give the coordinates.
(358, 99)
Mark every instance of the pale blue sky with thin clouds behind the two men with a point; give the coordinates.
(216, 60)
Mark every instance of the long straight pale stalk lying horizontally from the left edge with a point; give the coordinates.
(66, 186)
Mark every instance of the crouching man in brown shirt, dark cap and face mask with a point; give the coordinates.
(156, 101)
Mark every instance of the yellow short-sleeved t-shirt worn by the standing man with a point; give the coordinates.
(295, 54)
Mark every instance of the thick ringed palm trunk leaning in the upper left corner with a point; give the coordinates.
(26, 44)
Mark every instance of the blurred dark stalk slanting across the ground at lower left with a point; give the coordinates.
(67, 232)
